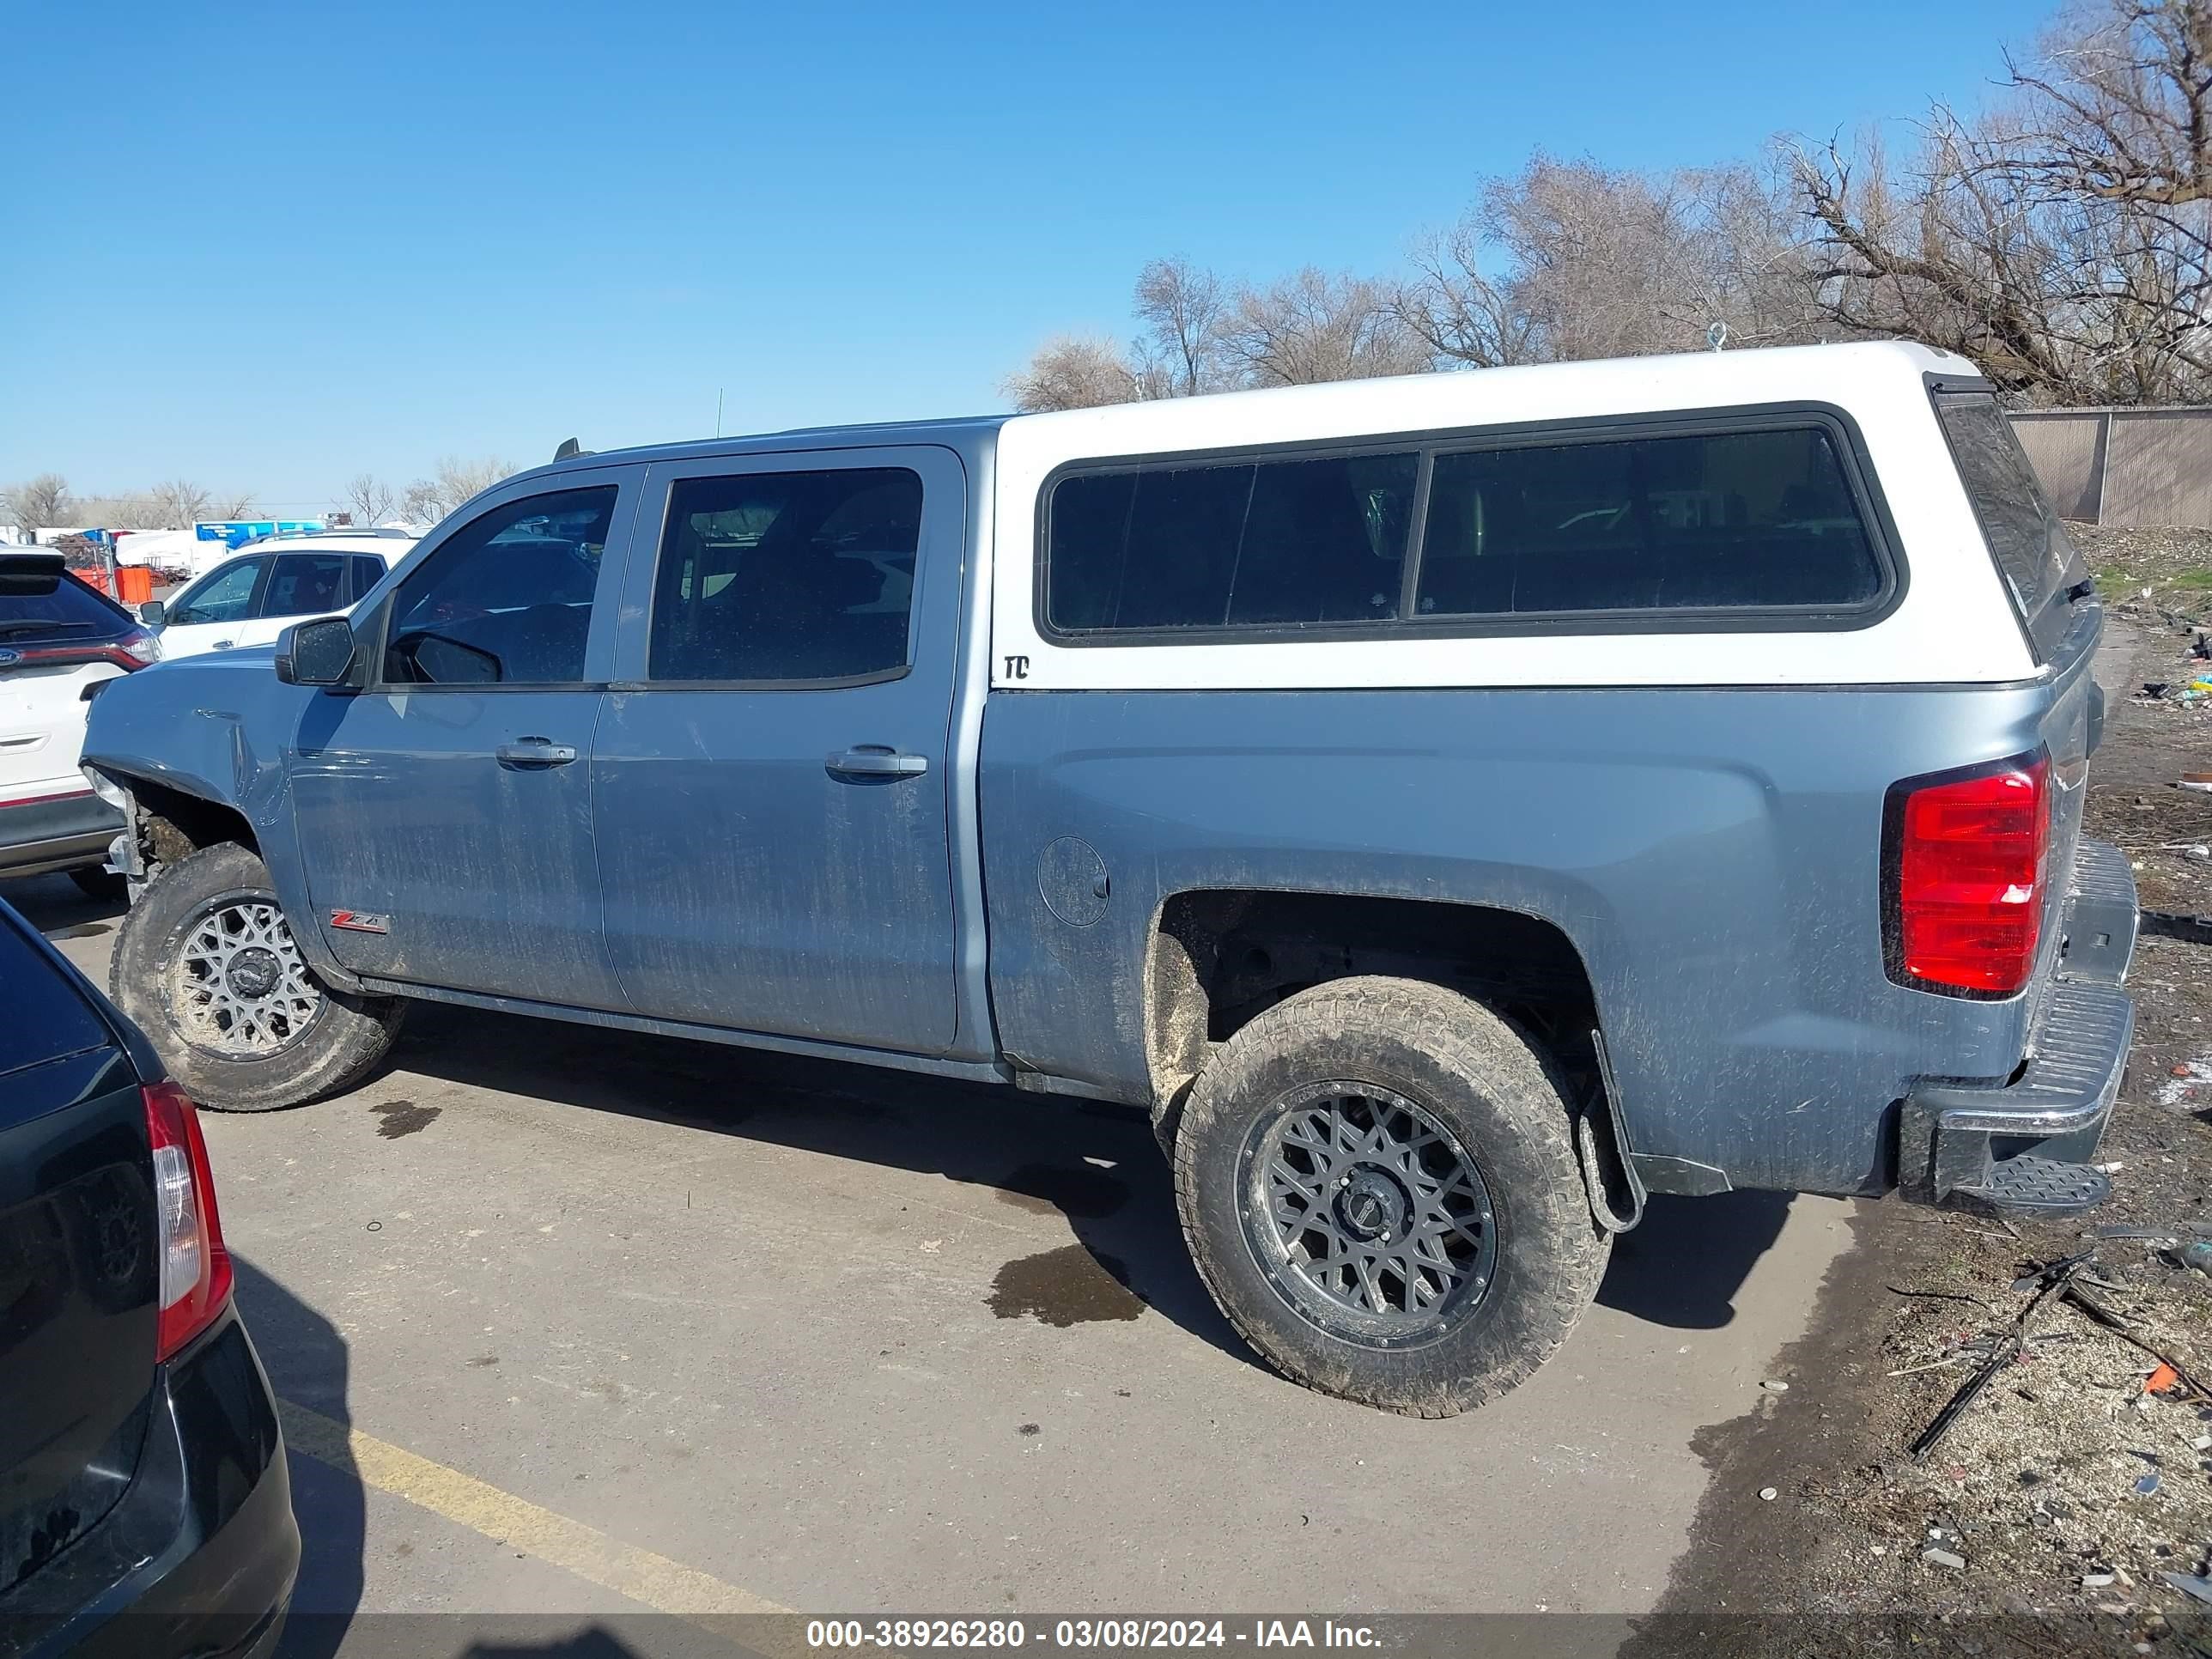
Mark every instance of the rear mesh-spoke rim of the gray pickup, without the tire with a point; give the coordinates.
(1368, 1215)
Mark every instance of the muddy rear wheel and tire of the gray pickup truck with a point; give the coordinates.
(1379, 1189)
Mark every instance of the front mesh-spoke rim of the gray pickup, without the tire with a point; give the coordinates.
(238, 985)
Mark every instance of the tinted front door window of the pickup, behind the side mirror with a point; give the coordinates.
(508, 598)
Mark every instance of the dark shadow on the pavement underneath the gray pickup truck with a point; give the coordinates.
(1094, 1165)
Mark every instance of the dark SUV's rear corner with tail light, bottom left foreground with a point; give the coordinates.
(145, 1505)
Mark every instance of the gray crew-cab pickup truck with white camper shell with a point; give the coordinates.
(1454, 806)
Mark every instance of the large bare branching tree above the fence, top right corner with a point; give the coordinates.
(2065, 240)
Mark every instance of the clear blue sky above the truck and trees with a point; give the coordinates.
(269, 247)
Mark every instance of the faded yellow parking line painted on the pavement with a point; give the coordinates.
(643, 1576)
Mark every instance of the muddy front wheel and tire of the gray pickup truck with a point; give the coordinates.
(205, 963)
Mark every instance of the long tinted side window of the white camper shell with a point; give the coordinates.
(1751, 519)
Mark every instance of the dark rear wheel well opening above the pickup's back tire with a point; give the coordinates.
(1222, 957)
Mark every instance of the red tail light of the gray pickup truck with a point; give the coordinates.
(1968, 879)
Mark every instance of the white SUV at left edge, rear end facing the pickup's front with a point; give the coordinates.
(61, 643)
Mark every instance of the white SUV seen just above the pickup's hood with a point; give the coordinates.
(251, 598)
